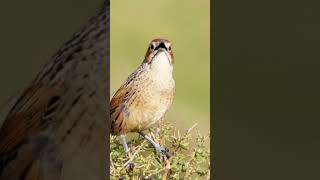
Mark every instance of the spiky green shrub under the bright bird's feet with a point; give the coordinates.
(190, 157)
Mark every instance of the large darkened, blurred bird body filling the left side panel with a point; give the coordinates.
(57, 127)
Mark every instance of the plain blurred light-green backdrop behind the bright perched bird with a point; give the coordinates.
(186, 24)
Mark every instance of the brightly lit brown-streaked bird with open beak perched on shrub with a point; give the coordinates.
(145, 97)
